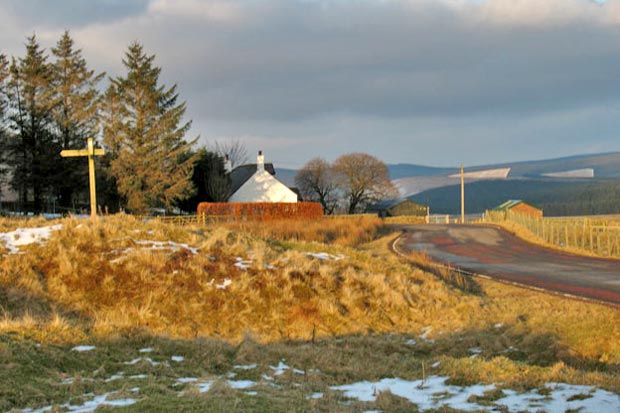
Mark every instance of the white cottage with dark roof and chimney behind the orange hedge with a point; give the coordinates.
(257, 183)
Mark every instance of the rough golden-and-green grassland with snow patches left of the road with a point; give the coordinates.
(131, 315)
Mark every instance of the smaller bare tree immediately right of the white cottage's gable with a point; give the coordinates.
(316, 182)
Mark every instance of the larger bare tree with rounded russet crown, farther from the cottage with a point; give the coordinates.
(364, 179)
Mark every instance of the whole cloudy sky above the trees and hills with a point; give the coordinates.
(432, 82)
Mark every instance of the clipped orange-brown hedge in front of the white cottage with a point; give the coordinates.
(262, 210)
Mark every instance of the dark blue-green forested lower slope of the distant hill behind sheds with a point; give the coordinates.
(556, 197)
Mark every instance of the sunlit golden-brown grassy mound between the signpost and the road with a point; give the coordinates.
(119, 274)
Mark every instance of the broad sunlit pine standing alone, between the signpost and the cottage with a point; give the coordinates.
(148, 148)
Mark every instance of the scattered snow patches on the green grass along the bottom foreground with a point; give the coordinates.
(433, 393)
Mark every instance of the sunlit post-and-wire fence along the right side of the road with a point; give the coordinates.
(598, 235)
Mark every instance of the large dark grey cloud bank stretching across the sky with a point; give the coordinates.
(388, 60)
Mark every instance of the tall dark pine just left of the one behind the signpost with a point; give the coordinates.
(32, 151)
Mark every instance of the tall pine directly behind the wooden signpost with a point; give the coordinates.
(76, 110)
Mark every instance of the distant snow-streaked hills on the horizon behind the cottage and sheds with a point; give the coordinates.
(574, 185)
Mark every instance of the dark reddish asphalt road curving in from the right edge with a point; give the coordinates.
(491, 251)
